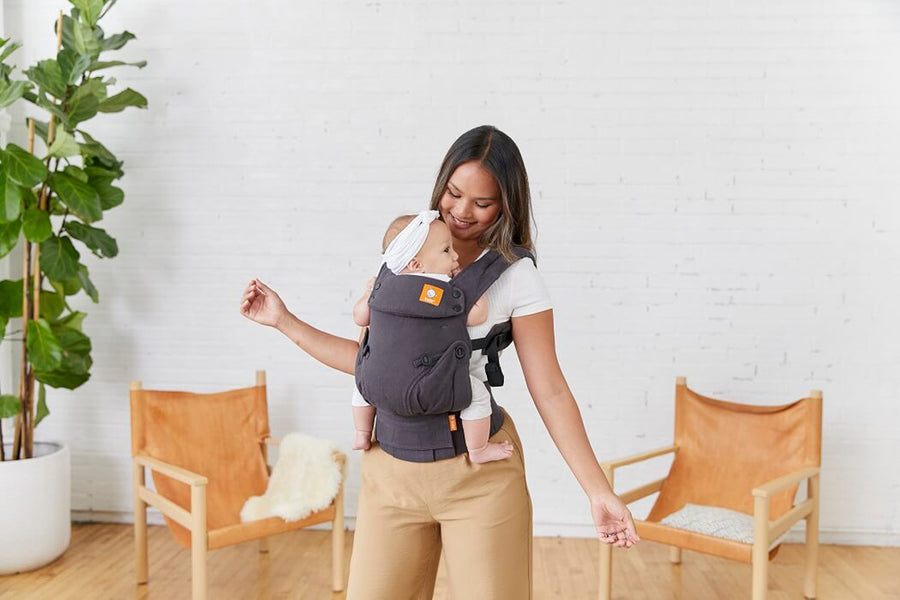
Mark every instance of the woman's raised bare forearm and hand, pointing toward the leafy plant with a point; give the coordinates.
(261, 304)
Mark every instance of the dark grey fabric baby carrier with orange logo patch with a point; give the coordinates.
(413, 362)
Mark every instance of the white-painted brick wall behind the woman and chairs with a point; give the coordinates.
(714, 186)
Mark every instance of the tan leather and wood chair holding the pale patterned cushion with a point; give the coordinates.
(749, 459)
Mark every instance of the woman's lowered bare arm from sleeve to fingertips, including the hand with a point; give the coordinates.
(536, 347)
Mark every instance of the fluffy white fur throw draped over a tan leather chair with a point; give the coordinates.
(305, 478)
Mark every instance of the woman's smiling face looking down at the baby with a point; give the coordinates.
(471, 201)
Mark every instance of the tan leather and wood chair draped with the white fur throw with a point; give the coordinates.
(208, 455)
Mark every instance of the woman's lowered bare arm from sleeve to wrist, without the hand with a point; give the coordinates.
(536, 348)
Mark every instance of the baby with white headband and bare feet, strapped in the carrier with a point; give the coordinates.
(434, 257)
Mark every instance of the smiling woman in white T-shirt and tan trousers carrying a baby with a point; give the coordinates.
(479, 514)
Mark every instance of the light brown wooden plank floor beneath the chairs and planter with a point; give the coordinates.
(99, 564)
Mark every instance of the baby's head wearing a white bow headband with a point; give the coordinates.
(433, 255)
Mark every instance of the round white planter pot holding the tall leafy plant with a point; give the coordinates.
(35, 500)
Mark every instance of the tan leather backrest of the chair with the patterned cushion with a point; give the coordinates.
(726, 449)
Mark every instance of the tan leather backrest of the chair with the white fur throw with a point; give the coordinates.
(217, 435)
